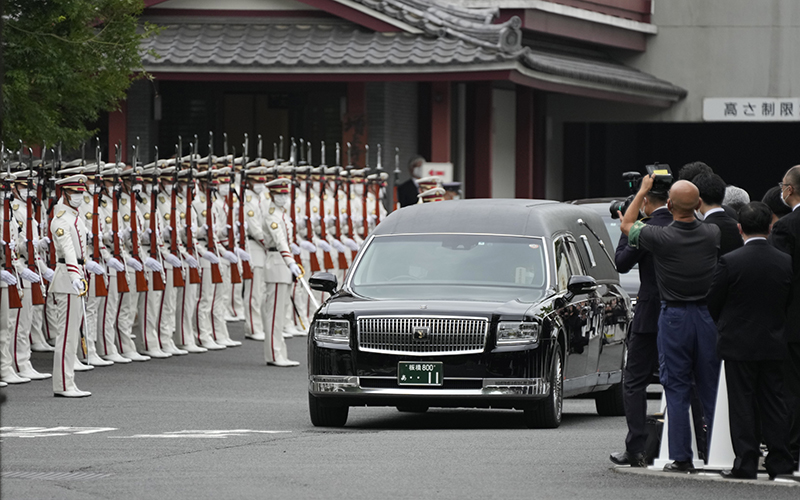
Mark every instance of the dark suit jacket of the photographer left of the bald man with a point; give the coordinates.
(648, 301)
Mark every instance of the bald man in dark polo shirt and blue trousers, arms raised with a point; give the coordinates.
(685, 258)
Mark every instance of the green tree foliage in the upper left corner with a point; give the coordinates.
(65, 61)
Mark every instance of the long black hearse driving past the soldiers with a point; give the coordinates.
(473, 303)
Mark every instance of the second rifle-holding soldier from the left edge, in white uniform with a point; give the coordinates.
(28, 268)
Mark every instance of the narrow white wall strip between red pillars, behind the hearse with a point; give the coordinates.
(503, 143)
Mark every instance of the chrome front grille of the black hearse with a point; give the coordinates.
(422, 336)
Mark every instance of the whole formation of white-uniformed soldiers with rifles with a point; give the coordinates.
(167, 253)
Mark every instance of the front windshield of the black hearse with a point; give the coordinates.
(451, 266)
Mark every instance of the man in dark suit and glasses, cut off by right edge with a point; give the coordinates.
(786, 237)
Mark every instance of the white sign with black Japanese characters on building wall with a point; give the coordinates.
(751, 109)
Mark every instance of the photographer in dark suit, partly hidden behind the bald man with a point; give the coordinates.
(642, 339)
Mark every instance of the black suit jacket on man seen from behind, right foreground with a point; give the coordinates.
(748, 300)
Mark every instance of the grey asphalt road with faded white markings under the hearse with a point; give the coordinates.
(224, 425)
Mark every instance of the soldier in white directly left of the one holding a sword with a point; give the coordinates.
(256, 205)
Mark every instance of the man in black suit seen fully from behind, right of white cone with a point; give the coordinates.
(748, 300)
